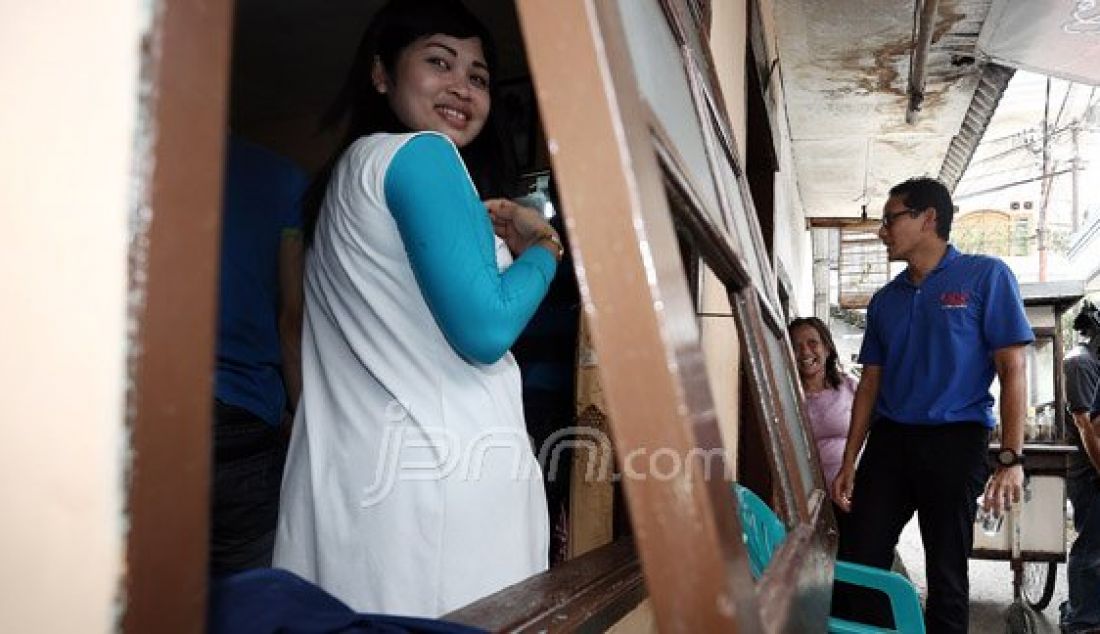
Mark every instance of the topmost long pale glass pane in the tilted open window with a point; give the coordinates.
(663, 80)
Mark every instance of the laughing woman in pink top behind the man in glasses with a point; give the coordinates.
(829, 392)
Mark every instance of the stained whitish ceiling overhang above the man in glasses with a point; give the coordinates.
(845, 70)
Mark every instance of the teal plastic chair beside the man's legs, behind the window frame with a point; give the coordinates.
(764, 534)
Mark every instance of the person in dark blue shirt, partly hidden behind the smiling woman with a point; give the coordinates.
(259, 369)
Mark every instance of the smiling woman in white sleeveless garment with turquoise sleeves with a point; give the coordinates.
(415, 291)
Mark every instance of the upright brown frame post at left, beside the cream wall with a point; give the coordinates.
(175, 238)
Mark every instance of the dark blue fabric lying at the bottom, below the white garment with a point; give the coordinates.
(269, 600)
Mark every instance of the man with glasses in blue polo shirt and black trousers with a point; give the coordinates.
(937, 336)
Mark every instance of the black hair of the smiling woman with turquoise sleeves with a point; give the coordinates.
(397, 26)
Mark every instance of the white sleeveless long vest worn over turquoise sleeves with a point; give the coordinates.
(411, 486)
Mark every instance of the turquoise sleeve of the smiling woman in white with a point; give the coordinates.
(449, 241)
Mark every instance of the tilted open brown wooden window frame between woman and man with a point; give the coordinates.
(612, 163)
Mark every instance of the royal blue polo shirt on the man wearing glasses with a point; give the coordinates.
(936, 343)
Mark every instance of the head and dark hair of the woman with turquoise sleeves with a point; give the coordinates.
(424, 67)
